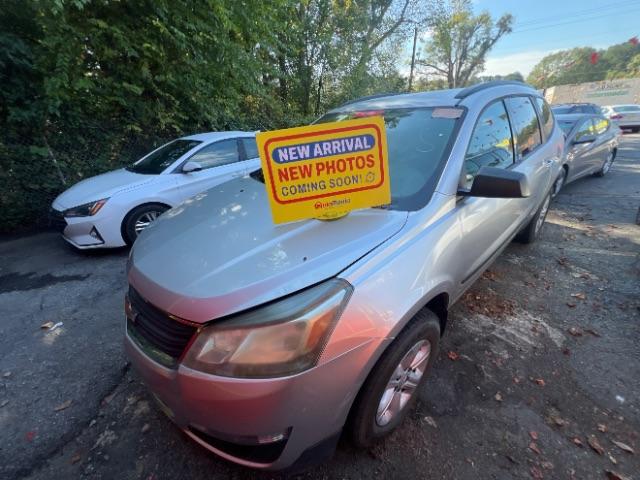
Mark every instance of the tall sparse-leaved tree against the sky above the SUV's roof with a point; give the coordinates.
(459, 41)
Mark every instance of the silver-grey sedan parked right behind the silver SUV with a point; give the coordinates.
(591, 145)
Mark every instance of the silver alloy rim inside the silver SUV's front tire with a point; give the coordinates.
(403, 383)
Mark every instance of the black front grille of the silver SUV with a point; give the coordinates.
(157, 328)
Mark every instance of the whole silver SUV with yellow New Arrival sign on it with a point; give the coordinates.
(265, 342)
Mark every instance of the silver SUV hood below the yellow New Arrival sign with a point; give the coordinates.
(220, 252)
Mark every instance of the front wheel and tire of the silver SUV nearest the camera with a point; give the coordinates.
(369, 421)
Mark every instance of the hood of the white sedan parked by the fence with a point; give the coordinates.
(100, 186)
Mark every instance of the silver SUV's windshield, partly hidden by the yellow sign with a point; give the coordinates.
(418, 140)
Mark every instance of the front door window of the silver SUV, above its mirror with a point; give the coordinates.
(491, 144)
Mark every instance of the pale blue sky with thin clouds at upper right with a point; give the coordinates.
(542, 27)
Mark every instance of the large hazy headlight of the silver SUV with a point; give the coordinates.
(282, 338)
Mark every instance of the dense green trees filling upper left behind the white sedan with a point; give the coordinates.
(88, 85)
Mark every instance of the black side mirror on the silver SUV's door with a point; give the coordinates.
(491, 182)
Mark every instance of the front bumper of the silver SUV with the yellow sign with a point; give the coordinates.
(311, 406)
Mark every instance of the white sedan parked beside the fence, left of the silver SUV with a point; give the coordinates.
(111, 209)
